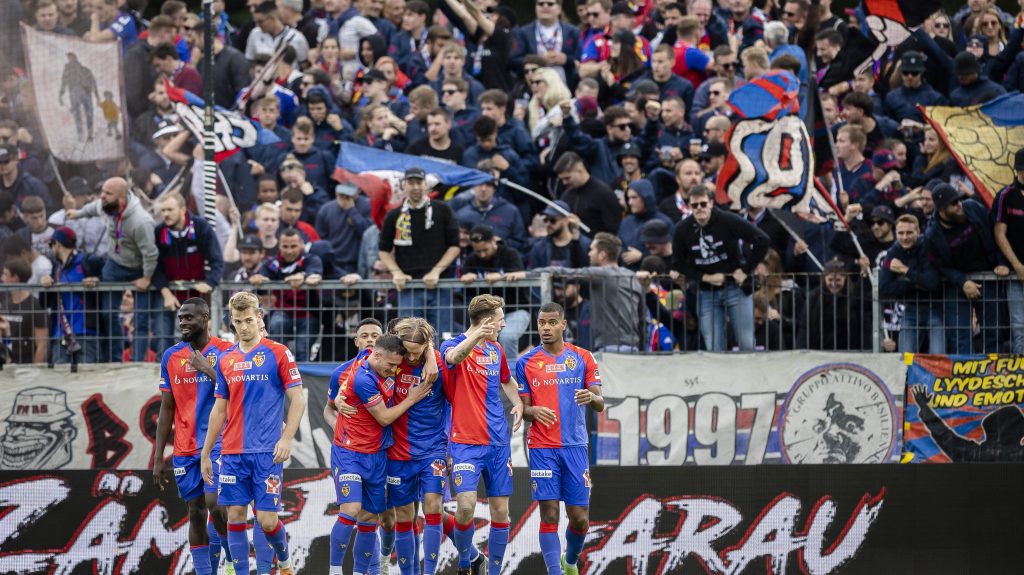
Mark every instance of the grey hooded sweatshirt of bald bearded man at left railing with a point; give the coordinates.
(132, 240)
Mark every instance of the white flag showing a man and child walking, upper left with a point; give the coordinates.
(77, 84)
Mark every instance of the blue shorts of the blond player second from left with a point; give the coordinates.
(251, 477)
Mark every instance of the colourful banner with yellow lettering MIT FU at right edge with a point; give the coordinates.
(965, 409)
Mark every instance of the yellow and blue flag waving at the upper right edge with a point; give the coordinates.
(984, 139)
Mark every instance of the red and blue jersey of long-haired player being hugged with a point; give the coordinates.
(420, 433)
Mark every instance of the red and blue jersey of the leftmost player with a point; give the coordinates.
(193, 392)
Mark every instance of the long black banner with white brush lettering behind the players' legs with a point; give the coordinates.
(774, 519)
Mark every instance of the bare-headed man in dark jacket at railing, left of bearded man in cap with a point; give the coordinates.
(909, 275)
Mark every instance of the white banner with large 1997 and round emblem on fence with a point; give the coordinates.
(793, 408)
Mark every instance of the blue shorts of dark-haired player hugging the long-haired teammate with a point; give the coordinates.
(360, 477)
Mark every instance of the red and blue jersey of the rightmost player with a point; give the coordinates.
(552, 382)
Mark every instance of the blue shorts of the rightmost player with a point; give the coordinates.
(561, 475)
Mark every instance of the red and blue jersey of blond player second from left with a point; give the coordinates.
(254, 386)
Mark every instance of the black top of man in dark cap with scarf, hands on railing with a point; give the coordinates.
(417, 249)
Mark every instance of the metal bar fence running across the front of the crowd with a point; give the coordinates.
(72, 324)
